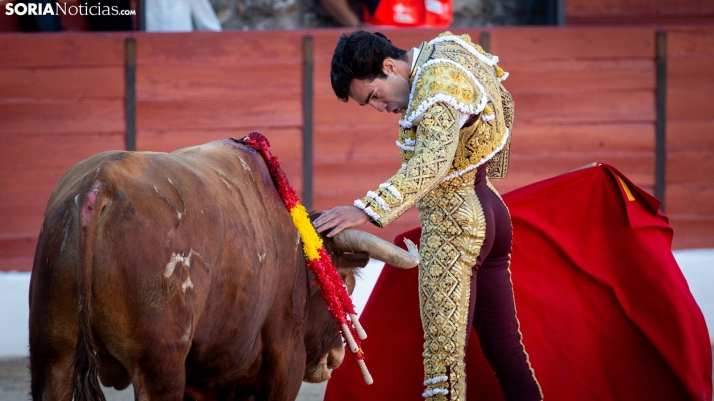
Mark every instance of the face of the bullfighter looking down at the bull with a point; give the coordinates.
(390, 93)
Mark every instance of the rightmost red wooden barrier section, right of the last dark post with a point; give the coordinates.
(690, 136)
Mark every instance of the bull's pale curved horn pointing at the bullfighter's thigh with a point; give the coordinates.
(355, 240)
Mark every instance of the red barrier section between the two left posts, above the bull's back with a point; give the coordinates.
(198, 87)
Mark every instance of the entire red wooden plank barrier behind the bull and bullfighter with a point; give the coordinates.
(582, 95)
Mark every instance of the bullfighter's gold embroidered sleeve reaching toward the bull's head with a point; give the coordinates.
(434, 150)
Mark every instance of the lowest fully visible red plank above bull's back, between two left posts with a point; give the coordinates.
(209, 114)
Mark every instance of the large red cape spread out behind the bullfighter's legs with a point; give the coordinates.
(605, 312)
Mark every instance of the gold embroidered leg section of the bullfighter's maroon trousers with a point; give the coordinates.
(453, 231)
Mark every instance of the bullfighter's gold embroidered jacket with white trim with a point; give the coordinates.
(452, 77)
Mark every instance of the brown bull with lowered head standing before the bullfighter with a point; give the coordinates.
(181, 274)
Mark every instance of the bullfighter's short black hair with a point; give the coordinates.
(360, 55)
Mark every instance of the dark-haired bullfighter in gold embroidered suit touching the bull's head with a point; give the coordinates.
(455, 132)
